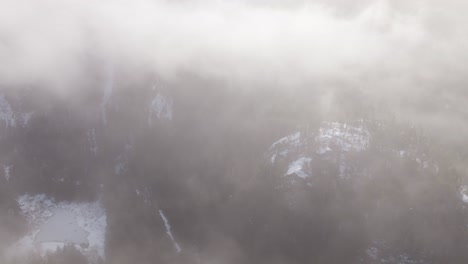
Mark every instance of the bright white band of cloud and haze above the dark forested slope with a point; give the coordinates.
(304, 40)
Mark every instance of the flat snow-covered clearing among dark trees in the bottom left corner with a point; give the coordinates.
(53, 225)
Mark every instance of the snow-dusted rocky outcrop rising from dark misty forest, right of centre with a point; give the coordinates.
(340, 144)
